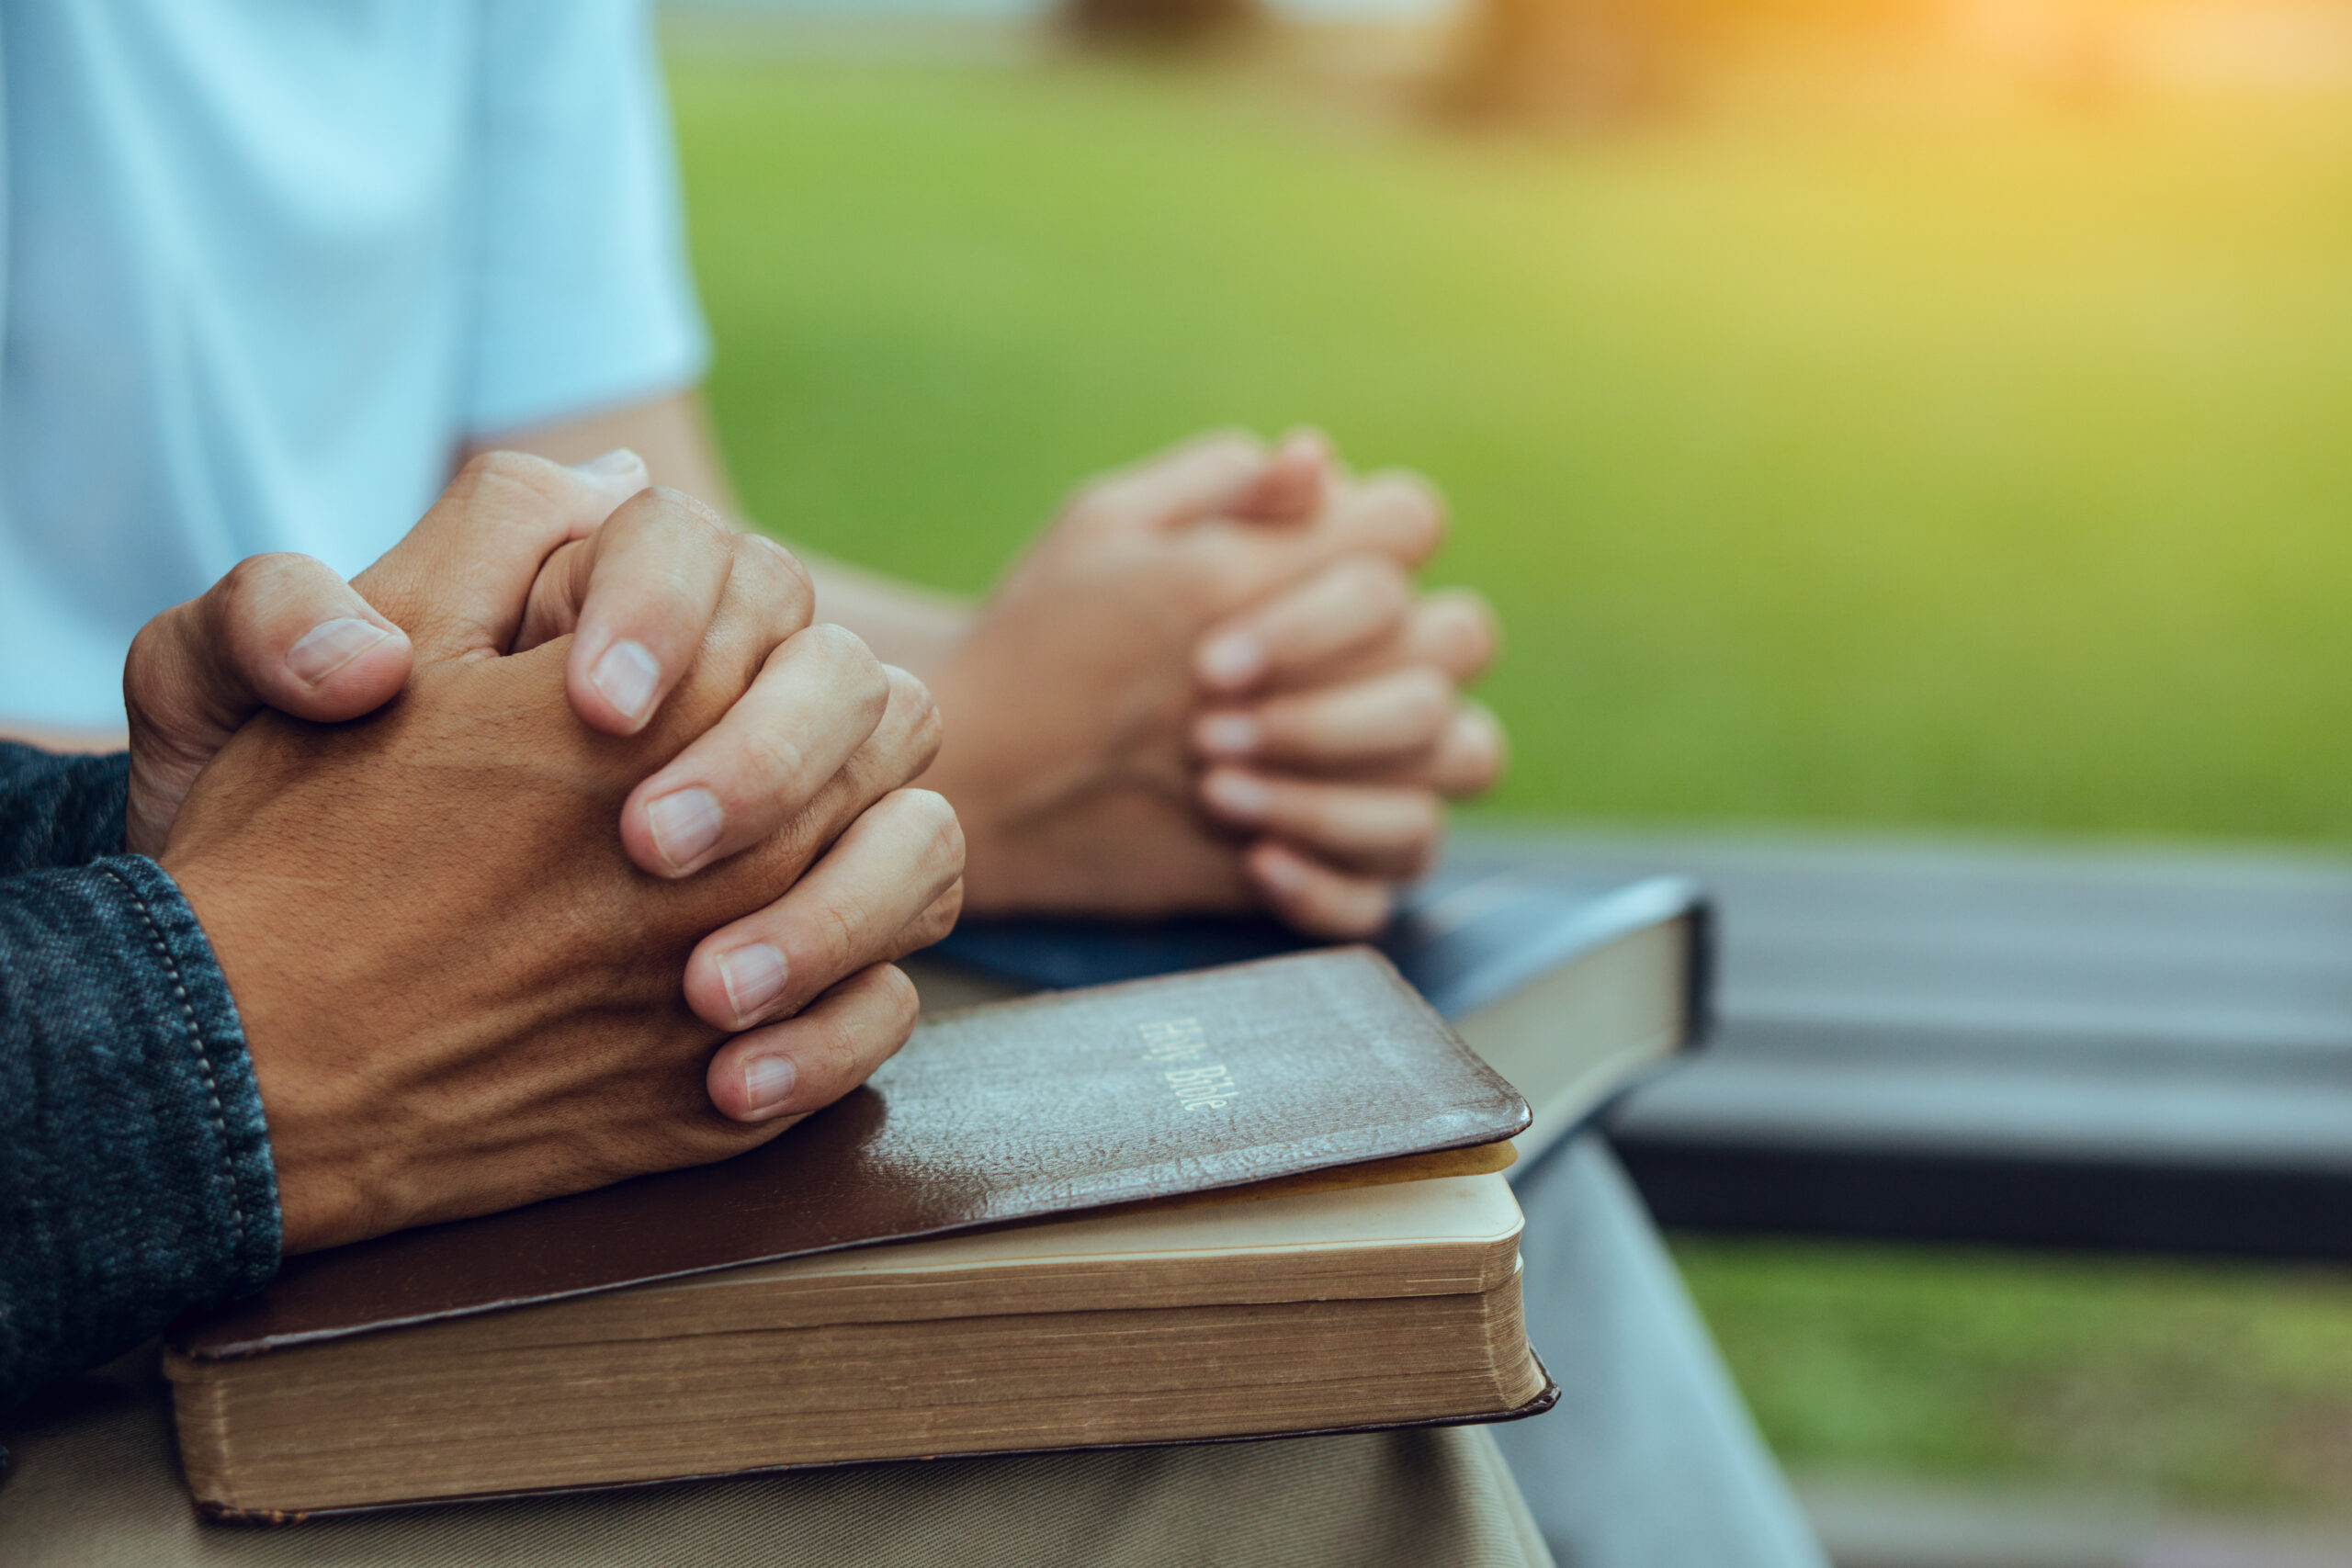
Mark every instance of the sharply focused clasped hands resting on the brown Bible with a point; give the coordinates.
(457, 979)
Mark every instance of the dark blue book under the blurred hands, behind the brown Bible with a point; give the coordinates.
(1575, 989)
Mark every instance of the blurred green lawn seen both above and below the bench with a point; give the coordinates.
(1965, 467)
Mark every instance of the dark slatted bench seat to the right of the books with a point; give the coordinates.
(1949, 1043)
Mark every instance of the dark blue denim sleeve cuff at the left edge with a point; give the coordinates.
(135, 1165)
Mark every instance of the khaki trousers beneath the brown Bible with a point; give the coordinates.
(98, 1482)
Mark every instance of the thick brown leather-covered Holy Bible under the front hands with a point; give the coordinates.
(1243, 1202)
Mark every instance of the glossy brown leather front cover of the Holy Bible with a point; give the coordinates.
(998, 1113)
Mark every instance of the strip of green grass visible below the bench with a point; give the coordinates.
(2205, 1386)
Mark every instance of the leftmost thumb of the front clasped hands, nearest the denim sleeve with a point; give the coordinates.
(279, 631)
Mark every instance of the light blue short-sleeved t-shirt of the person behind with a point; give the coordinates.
(272, 262)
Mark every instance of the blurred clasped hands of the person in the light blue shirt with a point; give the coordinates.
(1212, 688)
